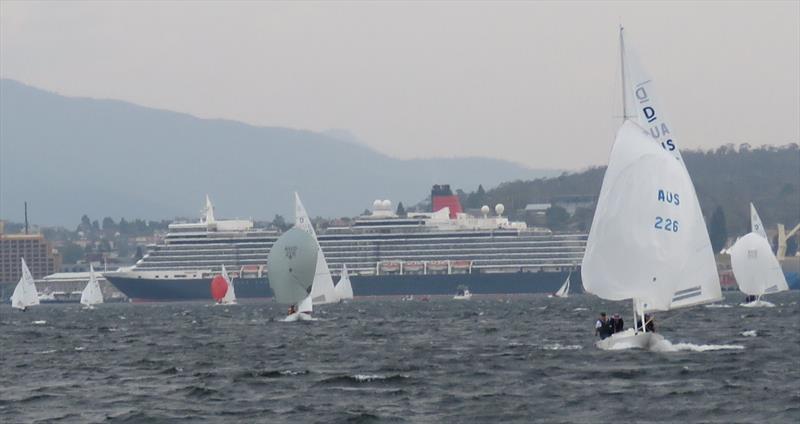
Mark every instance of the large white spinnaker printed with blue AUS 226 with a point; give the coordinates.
(646, 229)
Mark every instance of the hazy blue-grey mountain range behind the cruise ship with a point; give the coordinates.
(68, 156)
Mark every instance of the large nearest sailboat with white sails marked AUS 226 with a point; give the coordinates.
(648, 241)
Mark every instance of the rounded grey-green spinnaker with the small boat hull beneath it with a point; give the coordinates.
(291, 266)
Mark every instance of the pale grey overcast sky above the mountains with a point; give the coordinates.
(536, 83)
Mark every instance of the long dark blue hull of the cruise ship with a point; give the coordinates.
(159, 290)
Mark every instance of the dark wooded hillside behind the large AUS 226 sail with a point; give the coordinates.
(726, 180)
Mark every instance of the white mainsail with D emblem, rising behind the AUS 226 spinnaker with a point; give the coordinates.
(641, 103)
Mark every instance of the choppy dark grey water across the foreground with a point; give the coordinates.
(531, 359)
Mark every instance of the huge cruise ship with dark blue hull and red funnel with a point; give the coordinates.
(430, 253)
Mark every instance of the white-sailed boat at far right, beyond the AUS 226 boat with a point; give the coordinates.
(755, 267)
